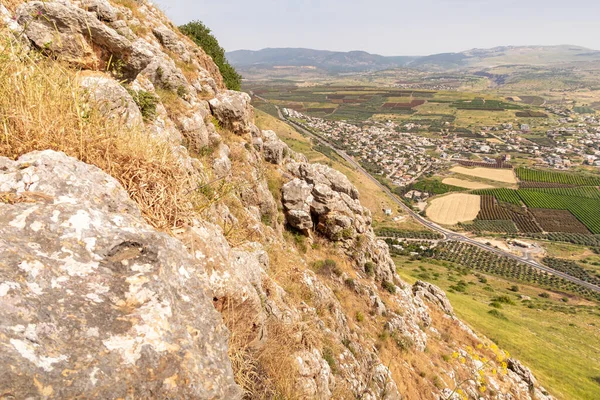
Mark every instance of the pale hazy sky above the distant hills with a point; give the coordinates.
(393, 27)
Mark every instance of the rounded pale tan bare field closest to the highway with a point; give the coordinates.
(454, 208)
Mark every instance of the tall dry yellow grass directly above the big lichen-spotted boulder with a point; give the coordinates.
(41, 108)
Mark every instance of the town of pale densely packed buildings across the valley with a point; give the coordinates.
(391, 150)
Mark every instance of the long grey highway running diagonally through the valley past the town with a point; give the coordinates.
(448, 235)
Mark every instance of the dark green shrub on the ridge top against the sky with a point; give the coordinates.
(202, 36)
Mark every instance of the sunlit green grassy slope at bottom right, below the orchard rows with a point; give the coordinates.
(558, 340)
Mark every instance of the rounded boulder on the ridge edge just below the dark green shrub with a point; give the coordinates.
(233, 111)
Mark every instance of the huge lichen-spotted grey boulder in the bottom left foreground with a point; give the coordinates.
(94, 303)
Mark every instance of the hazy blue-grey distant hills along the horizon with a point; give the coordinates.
(356, 61)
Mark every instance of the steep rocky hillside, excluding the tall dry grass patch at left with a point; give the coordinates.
(269, 283)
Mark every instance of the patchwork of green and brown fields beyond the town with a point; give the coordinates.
(433, 110)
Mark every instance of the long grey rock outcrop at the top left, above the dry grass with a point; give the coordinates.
(79, 37)
